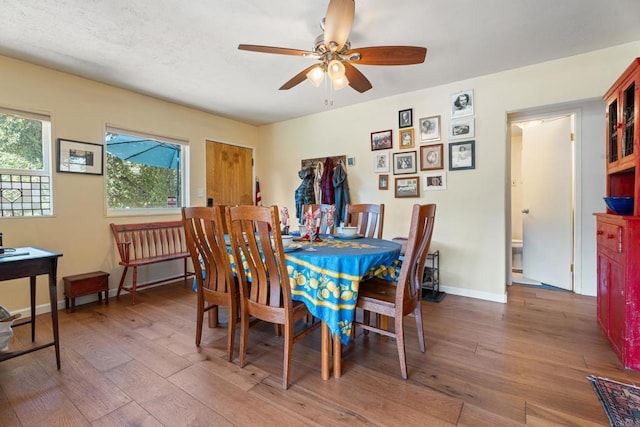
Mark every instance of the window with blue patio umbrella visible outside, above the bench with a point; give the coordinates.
(143, 171)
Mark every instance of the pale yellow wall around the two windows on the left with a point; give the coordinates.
(79, 110)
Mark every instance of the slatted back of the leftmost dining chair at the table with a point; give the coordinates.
(205, 237)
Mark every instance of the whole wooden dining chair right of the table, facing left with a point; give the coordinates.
(400, 299)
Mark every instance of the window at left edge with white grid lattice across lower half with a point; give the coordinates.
(25, 164)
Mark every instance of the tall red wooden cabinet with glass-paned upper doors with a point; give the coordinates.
(618, 237)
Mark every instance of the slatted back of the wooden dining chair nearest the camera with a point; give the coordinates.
(264, 280)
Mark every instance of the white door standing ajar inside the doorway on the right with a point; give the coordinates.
(547, 202)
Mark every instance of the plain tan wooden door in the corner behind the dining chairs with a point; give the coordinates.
(229, 174)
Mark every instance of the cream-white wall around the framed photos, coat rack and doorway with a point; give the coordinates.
(471, 218)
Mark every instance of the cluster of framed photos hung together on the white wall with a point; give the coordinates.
(424, 152)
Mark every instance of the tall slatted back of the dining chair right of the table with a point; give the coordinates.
(410, 280)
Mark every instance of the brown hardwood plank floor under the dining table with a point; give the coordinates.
(524, 362)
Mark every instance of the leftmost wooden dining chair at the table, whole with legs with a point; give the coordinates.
(216, 284)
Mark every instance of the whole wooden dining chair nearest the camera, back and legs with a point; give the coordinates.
(265, 292)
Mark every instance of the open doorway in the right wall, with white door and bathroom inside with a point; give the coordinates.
(542, 199)
